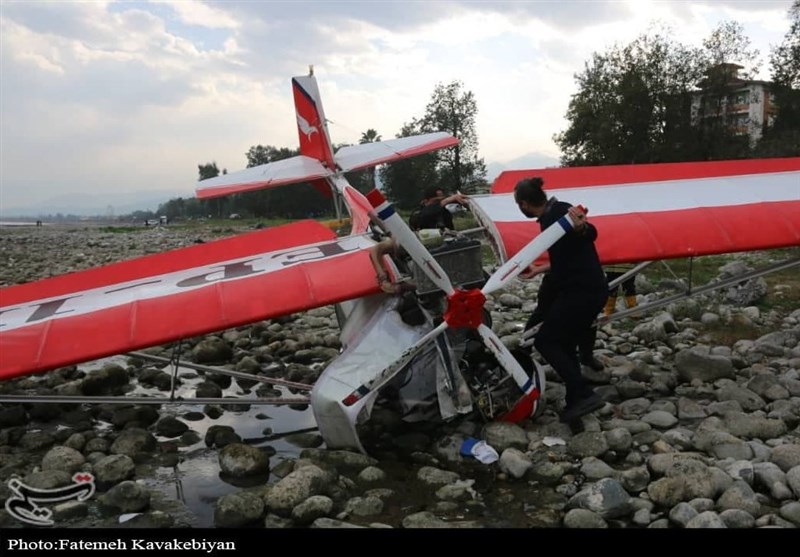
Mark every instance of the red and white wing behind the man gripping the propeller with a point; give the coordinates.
(662, 211)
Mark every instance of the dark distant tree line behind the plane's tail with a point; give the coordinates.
(451, 109)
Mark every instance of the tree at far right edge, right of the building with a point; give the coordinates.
(782, 136)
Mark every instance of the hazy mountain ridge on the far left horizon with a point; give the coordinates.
(90, 205)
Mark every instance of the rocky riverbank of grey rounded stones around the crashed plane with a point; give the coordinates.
(700, 428)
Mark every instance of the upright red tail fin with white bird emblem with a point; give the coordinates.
(312, 127)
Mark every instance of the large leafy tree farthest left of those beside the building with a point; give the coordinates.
(632, 102)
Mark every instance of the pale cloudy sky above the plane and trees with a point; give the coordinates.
(112, 101)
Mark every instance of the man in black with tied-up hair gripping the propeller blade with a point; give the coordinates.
(580, 291)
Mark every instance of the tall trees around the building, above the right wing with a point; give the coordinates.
(657, 100)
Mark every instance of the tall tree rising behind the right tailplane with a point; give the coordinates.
(453, 109)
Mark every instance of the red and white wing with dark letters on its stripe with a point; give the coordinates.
(191, 291)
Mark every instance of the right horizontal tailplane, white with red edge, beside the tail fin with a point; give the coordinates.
(364, 155)
